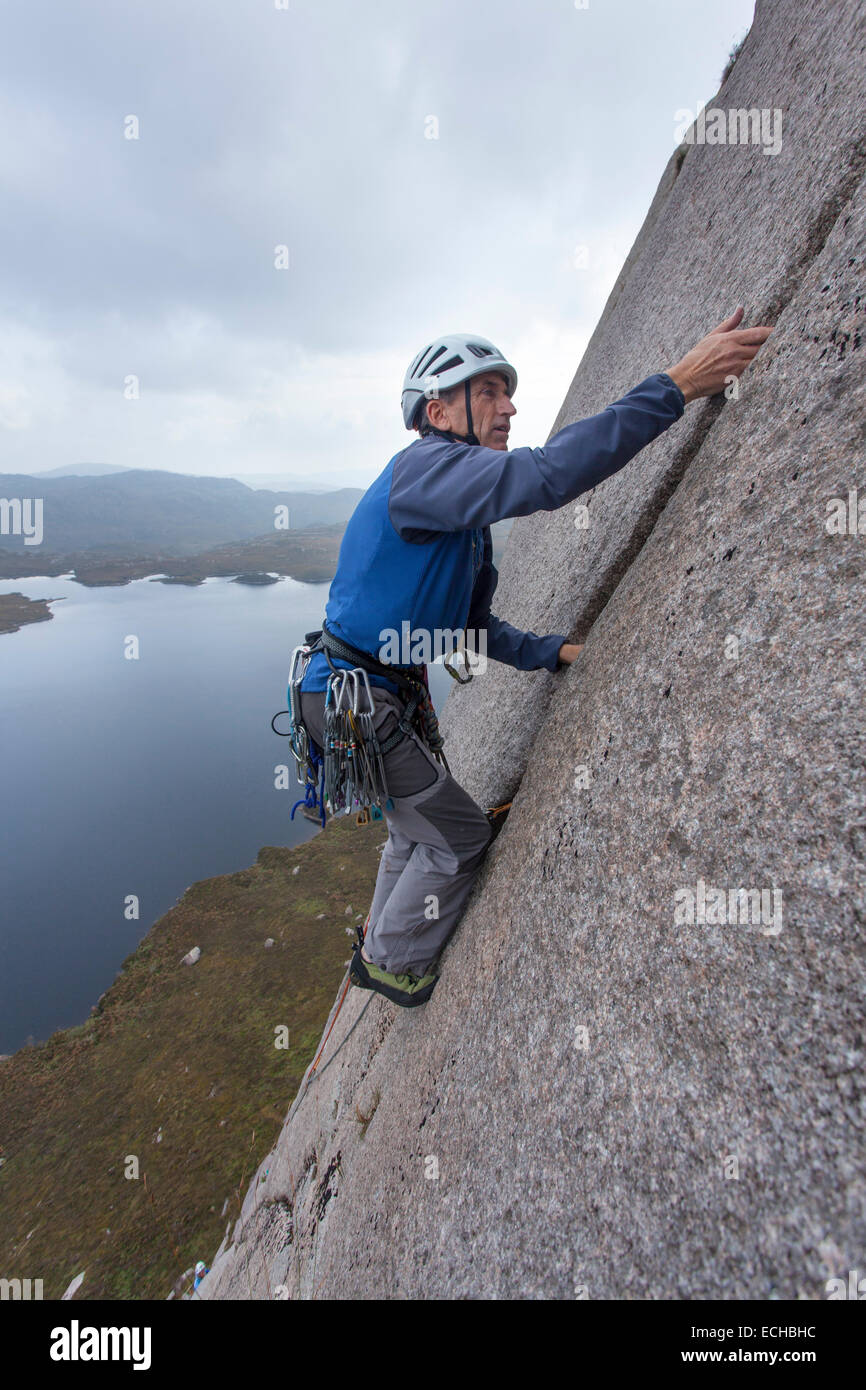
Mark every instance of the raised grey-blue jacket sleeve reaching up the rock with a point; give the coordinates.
(446, 486)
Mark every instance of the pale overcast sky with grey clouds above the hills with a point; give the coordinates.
(309, 127)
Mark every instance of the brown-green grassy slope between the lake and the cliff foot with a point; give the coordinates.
(190, 1049)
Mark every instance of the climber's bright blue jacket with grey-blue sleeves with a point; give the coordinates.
(418, 548)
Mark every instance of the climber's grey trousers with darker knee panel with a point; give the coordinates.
(437, 840)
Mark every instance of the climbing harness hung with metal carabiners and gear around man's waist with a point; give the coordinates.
(350, 772)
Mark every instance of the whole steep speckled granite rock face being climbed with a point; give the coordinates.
(633, 1081)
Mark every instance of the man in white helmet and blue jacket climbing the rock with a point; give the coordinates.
(418, 553)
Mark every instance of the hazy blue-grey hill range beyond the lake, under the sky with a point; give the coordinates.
(170, 512)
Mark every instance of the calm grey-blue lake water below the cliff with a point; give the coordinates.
(136, 776)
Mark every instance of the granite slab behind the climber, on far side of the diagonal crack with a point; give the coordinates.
(733, 226)
